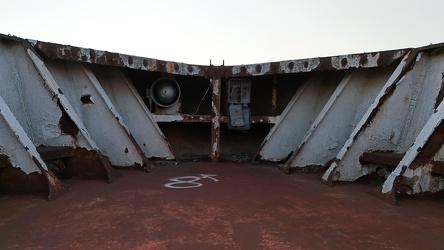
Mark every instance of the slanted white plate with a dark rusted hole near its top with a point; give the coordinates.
(97, 113)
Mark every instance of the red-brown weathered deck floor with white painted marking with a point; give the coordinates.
(249, 207)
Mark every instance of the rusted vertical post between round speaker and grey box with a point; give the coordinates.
(215, 120)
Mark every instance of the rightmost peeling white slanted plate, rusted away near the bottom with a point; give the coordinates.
(408, 112)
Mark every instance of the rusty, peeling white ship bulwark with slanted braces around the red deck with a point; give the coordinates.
(326, 113)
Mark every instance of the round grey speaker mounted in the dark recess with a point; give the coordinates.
(165, 92)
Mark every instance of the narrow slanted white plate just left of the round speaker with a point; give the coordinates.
(134, 112)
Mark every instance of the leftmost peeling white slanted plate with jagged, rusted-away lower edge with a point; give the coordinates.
(24, 92)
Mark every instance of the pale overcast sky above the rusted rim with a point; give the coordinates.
(236, 32)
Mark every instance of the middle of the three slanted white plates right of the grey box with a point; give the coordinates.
(341, 113)
